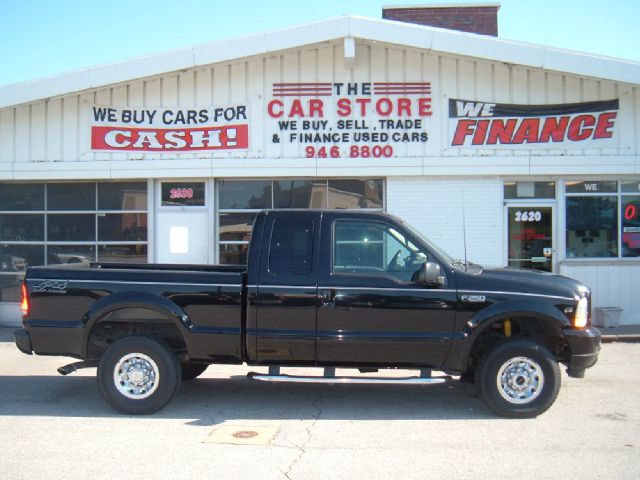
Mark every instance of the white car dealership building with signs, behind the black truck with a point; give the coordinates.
(503, 152)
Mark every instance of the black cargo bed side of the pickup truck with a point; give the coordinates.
(204, 302)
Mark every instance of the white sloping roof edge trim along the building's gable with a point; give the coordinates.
(392, 32)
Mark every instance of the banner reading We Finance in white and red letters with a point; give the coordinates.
(475, 124)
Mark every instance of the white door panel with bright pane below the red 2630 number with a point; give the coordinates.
(183, 237)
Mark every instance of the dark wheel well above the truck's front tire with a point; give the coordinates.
(542, 331)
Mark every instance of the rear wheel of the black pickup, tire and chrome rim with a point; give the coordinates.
(156, 369)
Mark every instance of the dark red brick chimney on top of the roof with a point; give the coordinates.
(479, 18)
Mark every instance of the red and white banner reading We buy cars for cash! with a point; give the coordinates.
(169, 130)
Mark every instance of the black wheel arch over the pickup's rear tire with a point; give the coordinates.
(134, 321)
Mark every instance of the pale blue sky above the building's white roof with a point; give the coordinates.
(41, 38)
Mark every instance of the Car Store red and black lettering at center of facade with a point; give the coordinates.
(332, 119)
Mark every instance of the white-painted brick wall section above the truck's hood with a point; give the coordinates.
(434, 207)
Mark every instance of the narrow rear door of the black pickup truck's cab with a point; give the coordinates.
(286, 294)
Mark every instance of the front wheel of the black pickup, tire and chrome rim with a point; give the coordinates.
(530, 390)
